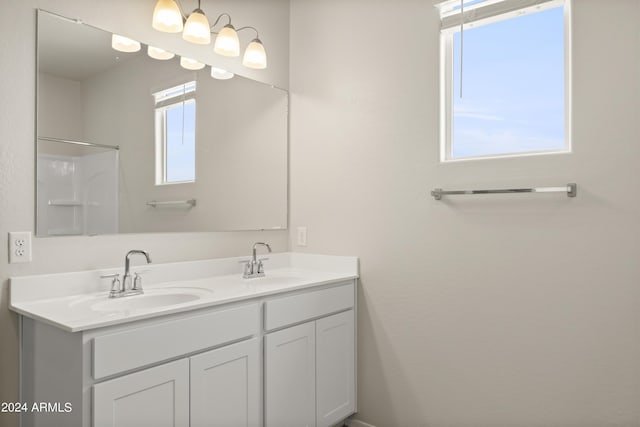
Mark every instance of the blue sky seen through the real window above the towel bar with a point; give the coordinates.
(513, 87)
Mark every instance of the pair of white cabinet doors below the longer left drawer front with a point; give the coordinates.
(220, 387)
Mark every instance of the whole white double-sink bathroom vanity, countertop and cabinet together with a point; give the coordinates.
(201, 347)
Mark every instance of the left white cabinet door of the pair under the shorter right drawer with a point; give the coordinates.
(290, 399)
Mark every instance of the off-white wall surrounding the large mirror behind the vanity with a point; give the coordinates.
(17, 118)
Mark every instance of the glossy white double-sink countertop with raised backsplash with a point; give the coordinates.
(69, 300)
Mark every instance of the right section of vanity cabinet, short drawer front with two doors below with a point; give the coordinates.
(310, 367)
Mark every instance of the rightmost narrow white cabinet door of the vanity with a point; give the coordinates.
(335, 367)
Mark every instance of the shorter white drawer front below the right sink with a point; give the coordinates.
(280, 312)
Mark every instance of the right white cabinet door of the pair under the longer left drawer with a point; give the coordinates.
(225, 386)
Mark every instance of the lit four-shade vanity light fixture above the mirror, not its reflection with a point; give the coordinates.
(168, 17)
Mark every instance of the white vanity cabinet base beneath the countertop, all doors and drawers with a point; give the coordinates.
(285, 360)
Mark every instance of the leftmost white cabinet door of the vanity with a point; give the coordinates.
(156, 397)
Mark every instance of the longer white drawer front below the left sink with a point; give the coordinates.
(141, 346)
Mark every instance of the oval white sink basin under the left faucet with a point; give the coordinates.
(151, 299)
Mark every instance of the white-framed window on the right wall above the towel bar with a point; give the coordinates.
(514, 97)
